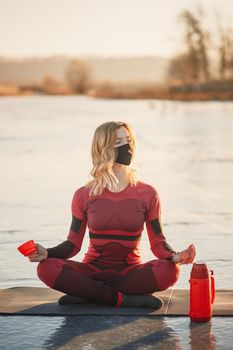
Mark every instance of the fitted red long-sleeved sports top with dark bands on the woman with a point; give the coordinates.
(115, 222)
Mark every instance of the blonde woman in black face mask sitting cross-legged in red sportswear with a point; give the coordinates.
(115, 205)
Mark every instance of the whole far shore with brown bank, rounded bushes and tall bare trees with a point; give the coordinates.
(191, 73)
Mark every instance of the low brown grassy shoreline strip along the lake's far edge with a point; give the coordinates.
(209, 91)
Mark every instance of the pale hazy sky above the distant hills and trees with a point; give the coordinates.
(99, 27)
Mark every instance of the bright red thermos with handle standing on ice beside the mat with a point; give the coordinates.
(202, 293)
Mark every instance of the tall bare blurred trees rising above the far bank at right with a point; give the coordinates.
(193, 64)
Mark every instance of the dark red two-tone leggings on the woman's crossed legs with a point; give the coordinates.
(101, 284)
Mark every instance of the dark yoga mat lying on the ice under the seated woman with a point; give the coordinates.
(41, 301)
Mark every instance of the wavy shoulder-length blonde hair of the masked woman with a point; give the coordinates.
(103, 157)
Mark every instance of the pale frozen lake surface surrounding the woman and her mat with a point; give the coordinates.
(183, 149)
